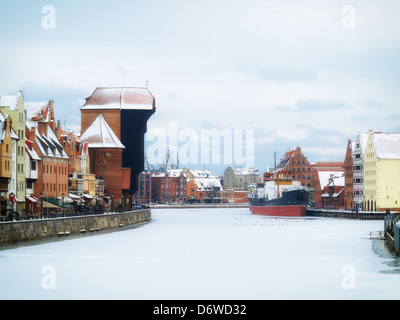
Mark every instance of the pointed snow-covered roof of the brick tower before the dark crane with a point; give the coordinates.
(100, 135)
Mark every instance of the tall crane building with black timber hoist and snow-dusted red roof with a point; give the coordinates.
(126, 111)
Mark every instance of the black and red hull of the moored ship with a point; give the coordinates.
(291, 204)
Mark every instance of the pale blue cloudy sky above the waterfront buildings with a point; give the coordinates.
(289, 73)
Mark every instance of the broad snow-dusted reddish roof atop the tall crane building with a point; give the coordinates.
(127, 98)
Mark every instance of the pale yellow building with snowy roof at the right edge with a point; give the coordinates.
(382, 172)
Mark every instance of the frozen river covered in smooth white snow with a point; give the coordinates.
(208, 254)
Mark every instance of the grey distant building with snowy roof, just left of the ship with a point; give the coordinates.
(240, 178)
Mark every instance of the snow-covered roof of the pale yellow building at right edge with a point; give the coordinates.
(387, 145)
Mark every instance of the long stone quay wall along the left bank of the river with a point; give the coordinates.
(19, 231)
